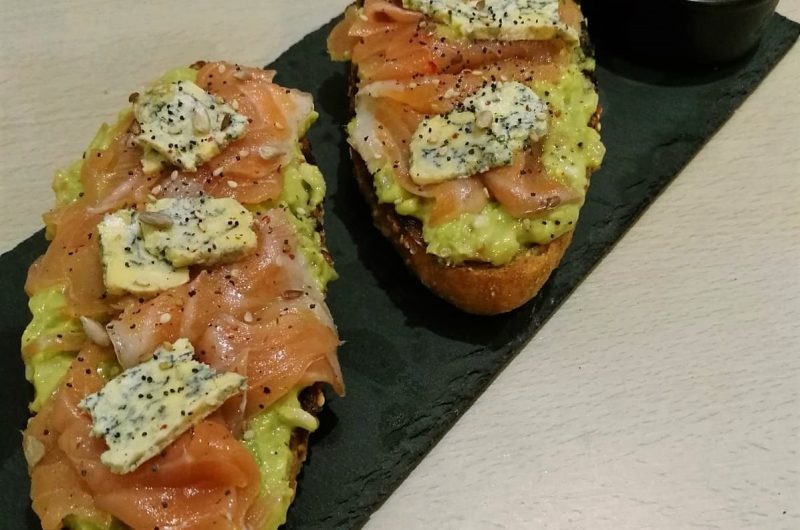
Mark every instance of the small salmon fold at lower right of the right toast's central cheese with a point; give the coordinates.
(524, 188)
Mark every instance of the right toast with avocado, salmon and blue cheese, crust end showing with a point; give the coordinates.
(474, 135)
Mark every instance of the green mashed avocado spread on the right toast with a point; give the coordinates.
(570, 150)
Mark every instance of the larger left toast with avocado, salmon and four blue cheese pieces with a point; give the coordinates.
(180, 337)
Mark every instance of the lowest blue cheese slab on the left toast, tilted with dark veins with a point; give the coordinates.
(147, 407)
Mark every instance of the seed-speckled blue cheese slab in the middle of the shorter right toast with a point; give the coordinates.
(482, 132)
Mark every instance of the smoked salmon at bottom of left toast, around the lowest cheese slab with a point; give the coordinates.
(205, 480)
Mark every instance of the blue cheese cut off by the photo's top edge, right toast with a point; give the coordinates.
(498, 19)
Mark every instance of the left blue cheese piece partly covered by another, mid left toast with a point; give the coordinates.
(127, 266)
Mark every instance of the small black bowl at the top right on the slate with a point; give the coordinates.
(691, 31)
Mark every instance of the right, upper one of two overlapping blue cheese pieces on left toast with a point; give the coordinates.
(201, 231)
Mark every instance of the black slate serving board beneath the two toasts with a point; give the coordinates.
(412, 363)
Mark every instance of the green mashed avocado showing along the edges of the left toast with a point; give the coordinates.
(268, 434)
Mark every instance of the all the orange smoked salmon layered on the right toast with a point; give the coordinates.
(407, 71)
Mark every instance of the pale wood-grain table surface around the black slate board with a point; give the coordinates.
(664, 394)
